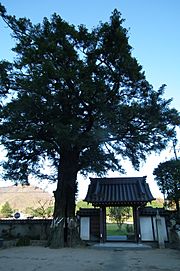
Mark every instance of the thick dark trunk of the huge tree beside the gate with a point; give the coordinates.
(64, 227)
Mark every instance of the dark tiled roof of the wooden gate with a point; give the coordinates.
(122, 191)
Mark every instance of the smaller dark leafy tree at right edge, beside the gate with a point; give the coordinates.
(167, 175)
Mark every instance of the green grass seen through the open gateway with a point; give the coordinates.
(113, 229)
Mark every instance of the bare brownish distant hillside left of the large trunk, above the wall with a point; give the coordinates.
(21, 197)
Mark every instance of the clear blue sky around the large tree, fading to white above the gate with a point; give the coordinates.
(154, 34)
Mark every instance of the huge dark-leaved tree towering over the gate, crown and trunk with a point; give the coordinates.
(79, 99)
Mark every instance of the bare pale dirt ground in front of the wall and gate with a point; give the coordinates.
(88, 259)
